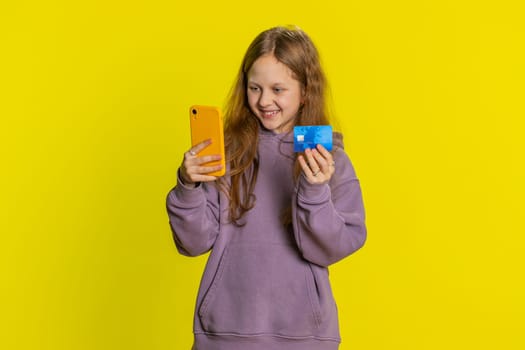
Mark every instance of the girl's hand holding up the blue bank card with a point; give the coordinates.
(317, 164)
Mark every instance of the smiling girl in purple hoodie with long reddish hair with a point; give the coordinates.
(276, 220)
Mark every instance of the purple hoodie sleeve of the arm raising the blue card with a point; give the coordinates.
(329, 219)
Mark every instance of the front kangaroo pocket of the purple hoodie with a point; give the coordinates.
(262, 289)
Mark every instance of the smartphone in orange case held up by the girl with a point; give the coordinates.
(206, 123)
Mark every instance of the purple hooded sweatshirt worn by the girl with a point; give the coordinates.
(266, 285)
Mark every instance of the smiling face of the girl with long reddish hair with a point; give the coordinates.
(274, 95)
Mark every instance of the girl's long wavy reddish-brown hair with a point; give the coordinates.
(292, 47)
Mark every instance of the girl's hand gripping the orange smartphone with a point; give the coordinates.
(192, 169)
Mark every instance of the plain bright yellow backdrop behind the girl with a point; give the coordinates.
(93, 105)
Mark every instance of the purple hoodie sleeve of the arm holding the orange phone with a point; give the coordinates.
(194, 217)
